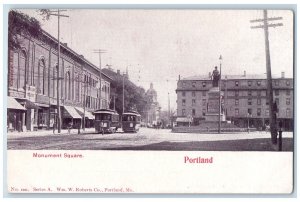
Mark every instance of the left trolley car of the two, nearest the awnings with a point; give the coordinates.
(106, 121)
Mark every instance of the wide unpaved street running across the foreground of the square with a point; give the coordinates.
(146, 139)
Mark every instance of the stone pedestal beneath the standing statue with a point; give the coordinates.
(213, 105)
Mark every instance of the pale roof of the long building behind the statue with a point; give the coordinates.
(233, 77)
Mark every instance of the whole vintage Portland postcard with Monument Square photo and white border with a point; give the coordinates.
(103, 101)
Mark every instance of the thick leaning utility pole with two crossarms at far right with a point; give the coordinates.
(266, 26)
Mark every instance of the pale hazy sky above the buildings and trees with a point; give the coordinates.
(159, 45)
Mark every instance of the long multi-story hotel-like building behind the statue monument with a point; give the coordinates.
(244, 99)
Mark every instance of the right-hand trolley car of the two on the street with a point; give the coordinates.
(131, 121)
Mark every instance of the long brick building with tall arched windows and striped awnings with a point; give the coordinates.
(32, 82)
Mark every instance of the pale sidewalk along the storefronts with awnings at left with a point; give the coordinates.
(47, 132)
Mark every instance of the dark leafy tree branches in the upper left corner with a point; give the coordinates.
(21, 24)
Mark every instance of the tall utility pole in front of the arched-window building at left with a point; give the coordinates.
(57, 13)
